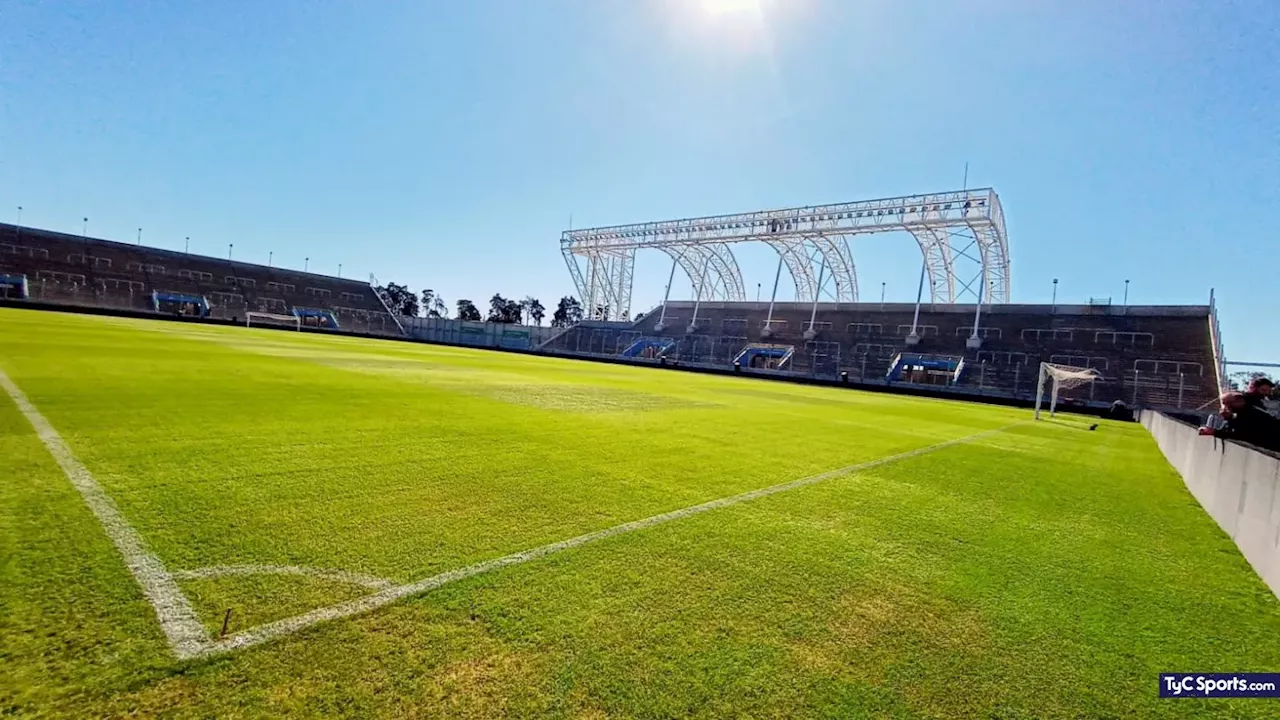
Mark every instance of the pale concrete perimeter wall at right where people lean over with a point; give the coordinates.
(1237, 485)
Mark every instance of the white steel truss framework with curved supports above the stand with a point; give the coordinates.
(962, 236)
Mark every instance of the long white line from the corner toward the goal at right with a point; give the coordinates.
(367, 604)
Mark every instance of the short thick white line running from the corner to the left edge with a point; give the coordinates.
(188, 637)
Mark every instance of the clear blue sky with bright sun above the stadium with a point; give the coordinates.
(447, 145)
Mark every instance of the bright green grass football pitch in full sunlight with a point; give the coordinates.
(1039, 571)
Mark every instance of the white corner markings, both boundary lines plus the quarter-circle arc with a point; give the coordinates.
(188, 637)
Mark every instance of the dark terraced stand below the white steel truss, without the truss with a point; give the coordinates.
(1156, 357)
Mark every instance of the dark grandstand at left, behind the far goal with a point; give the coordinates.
(67, 270)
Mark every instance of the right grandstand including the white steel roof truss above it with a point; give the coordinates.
(981, 345)
